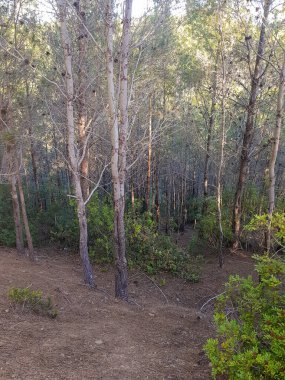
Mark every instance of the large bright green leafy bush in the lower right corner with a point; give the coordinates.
(250, 320)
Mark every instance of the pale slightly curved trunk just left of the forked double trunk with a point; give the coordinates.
(73, 159)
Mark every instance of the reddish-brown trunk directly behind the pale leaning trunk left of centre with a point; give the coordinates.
(81, 99)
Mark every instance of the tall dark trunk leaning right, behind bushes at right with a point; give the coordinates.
(249, 128)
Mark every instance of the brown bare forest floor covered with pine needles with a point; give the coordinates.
(160, 336)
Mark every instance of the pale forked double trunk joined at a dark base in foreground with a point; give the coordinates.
(119, 130)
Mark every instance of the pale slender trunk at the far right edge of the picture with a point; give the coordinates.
(274, 151)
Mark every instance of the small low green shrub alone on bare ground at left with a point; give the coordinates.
(33, 300)
